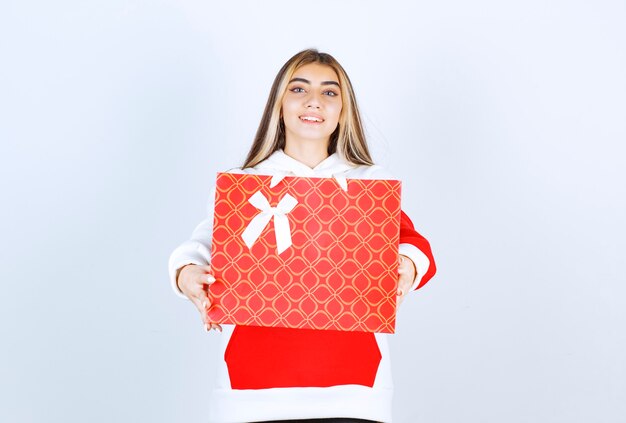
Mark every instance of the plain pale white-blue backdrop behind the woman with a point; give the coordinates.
(506, 121)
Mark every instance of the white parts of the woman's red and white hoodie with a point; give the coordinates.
(346, 400)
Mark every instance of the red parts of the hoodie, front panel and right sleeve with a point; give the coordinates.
(261, 358)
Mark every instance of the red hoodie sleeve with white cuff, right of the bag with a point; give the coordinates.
(417, 248)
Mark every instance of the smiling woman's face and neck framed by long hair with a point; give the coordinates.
(312, 104)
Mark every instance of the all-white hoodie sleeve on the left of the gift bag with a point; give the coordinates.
(196, 250)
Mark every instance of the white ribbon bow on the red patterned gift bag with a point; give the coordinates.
(260, 221)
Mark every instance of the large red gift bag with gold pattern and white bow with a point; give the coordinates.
(305, 253)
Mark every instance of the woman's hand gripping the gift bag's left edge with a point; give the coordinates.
(193, 281)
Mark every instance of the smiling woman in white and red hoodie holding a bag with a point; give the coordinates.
(310, 127)
